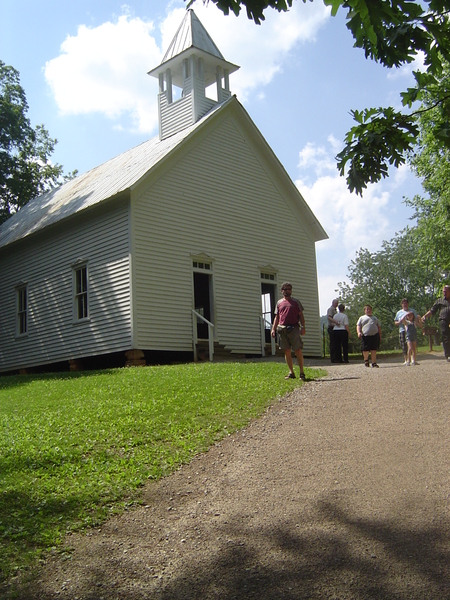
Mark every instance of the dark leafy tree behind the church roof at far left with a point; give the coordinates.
(25, 170)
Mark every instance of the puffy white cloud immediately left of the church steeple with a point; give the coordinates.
(104, 70)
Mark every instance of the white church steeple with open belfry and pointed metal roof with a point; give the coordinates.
(192, 63)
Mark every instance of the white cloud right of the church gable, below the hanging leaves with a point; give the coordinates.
(350, 221)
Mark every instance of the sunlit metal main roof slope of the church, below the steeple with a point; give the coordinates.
(105, 181)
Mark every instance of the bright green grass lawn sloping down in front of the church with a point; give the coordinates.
(77, 447)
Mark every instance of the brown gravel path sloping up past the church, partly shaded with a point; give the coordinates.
(341, 491)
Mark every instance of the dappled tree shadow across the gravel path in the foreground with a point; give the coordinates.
(339, 555)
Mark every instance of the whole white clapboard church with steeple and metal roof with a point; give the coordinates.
(168, 246)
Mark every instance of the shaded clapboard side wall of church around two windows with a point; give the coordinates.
(45, 262)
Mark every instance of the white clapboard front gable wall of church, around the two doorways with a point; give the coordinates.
(220, 199)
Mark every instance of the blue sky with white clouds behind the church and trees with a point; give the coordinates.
(83, 66)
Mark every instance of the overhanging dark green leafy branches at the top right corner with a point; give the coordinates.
(392, 33)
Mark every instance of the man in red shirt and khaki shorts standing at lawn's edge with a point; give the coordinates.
(289, 323)
